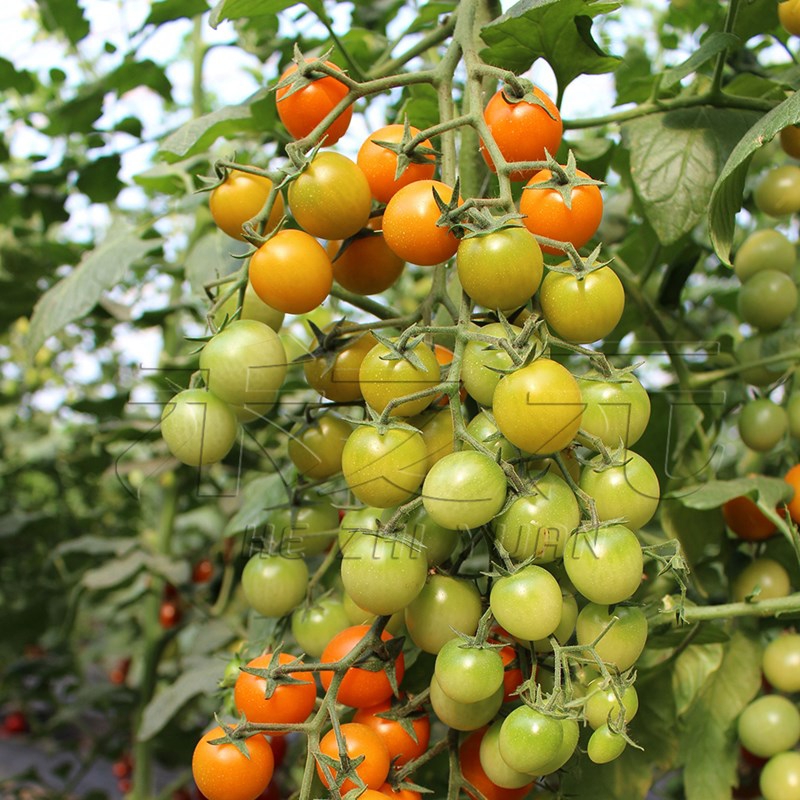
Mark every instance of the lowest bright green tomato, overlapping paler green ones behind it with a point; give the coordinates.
(529, 739)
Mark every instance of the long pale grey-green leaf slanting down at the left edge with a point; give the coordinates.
(78, 293)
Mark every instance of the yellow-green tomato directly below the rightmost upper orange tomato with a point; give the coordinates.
(585, 309)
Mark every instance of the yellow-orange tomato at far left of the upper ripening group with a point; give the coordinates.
(239, 198)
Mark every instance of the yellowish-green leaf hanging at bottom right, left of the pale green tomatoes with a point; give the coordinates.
(709, 746)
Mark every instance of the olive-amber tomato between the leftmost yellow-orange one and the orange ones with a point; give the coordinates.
(330, 198)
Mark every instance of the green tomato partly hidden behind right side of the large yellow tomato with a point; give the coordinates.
(617, 412)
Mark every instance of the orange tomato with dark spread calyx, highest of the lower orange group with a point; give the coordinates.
(360, 688)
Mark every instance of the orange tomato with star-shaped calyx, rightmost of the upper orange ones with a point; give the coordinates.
(546, 214)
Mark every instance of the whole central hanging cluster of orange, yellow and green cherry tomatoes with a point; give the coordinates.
(458, 492)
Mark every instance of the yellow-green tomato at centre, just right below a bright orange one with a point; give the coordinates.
(501, 269)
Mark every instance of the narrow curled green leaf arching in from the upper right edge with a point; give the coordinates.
(726, 197)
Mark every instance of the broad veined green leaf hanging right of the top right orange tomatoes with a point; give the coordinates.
(675, 159)
